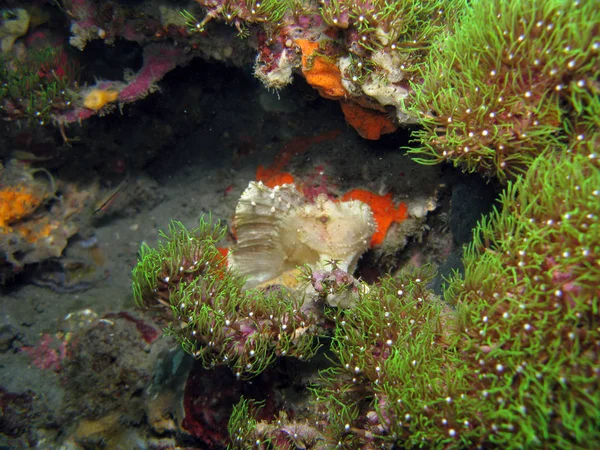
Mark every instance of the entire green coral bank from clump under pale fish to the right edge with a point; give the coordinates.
(510, 359)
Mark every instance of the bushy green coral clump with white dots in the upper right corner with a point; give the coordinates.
(505, 85)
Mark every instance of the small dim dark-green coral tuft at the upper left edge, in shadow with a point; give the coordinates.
(37, 88)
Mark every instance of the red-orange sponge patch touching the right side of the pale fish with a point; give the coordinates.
(384, 210)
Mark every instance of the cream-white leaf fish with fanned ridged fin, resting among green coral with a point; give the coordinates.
(278, 229)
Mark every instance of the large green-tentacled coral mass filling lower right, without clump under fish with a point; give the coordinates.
(516, 364)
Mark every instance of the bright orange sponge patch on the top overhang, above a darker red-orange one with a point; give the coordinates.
(321, 73)
